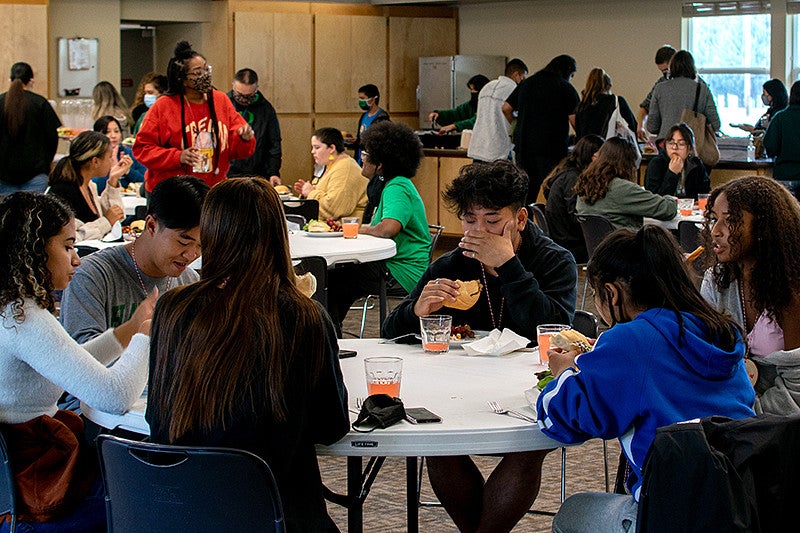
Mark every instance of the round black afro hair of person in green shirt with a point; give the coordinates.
(395, 146)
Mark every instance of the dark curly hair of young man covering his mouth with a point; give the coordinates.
(489, 185)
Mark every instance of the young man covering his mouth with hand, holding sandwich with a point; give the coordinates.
(527, 280)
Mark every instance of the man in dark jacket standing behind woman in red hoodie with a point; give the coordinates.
(259, 113)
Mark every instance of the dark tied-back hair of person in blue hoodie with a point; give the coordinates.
(649, 266)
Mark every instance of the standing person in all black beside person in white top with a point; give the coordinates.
(545, 103)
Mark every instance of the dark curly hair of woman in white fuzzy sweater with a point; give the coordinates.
(27, 222)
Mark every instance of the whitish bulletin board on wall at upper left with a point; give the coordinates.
(77, 67)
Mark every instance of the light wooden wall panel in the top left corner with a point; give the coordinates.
(24, 28)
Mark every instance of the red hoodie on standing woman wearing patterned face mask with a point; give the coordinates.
(159, 142)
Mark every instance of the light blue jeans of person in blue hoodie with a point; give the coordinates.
(596, 512)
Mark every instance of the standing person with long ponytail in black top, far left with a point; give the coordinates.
(28, 134)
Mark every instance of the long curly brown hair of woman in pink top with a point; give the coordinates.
(775, 240)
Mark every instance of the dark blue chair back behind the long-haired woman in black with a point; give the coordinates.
(152, 487)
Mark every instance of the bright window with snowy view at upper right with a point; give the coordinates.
(730, 42)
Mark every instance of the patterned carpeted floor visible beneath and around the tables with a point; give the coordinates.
(385, 511)
